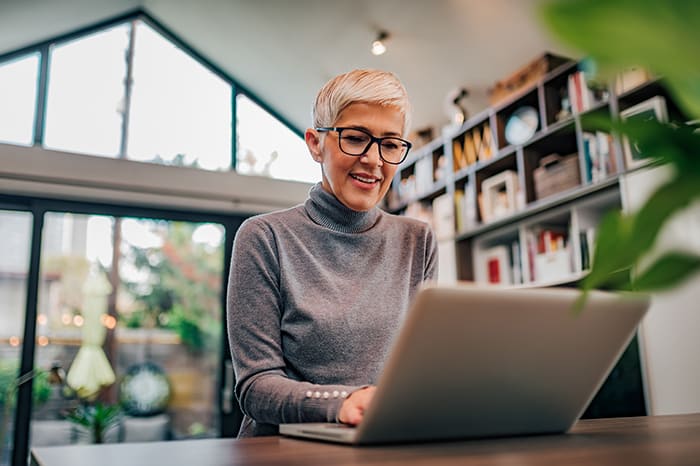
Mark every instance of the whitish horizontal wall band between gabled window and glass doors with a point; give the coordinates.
(54, 174)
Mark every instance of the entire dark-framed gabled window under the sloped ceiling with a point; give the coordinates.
(129, 89)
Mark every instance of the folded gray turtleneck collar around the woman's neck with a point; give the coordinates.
(326, 210)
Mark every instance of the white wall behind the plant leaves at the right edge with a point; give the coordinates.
(670, 333)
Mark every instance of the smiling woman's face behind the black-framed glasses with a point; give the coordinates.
(359, 182)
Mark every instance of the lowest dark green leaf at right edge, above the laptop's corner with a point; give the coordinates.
(668, 271)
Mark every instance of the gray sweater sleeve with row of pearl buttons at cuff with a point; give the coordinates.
(254, 311)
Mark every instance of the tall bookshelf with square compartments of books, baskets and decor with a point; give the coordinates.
(526, 184)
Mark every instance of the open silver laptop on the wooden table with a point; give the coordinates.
(475, 362)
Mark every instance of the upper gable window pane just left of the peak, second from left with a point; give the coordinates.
(86, 93)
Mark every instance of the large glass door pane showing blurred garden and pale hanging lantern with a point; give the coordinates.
(134, 305)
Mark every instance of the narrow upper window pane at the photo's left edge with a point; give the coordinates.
(18, 84)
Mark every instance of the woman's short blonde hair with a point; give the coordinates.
(360, 86)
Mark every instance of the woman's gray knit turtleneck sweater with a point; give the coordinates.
(316, 295)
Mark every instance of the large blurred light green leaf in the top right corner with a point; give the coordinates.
(663, 36)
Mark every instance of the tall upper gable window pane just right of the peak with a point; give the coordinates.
(180, 111)
